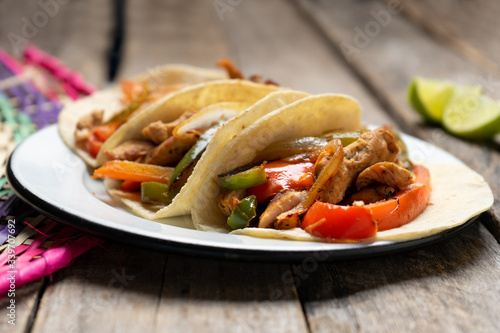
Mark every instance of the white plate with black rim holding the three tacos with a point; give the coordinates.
(50, 177)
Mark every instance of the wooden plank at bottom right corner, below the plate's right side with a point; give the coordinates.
(448, 287)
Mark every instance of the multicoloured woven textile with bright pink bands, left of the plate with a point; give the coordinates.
(53, 246)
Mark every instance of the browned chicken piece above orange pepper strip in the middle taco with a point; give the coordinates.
(171, 151)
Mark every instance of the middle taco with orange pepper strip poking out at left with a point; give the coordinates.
(160, 156)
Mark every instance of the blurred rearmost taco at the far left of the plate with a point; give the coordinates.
(85, 124)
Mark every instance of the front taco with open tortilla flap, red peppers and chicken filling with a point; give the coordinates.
(310, 172)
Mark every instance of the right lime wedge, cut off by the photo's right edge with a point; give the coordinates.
(470, 114)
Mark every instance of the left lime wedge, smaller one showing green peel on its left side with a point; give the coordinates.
(429, 97)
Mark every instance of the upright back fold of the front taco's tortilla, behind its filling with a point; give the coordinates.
(310, 116)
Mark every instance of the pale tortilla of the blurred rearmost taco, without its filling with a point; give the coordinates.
(109, 99)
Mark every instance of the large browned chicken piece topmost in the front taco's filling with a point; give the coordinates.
(371, 147)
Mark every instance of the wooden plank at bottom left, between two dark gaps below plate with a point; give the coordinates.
(109, 289)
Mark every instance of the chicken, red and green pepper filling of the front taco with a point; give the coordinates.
(342, 185)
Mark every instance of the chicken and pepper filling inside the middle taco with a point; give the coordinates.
(158, 166)
